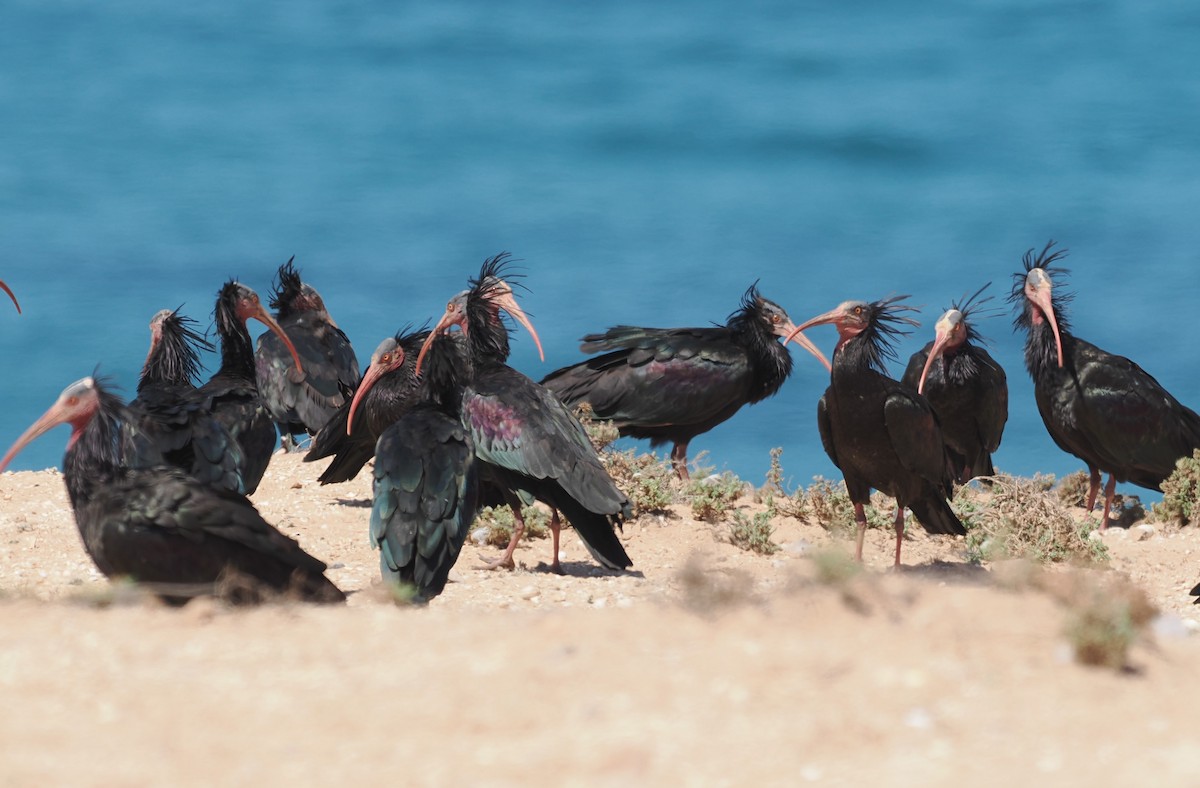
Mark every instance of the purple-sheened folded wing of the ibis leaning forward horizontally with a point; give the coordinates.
(658, 377)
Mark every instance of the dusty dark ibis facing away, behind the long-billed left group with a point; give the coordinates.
(302, 404)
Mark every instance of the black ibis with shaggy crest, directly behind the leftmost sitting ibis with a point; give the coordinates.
(167, 423)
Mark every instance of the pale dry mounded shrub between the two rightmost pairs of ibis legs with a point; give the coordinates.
(1021, 520)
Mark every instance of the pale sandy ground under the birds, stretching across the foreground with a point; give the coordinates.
(707, 665)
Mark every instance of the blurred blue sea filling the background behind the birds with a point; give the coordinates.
(646, 164)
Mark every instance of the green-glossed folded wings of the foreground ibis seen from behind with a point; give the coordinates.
(425, 495)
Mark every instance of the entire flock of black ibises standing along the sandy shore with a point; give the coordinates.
(160, 486)
